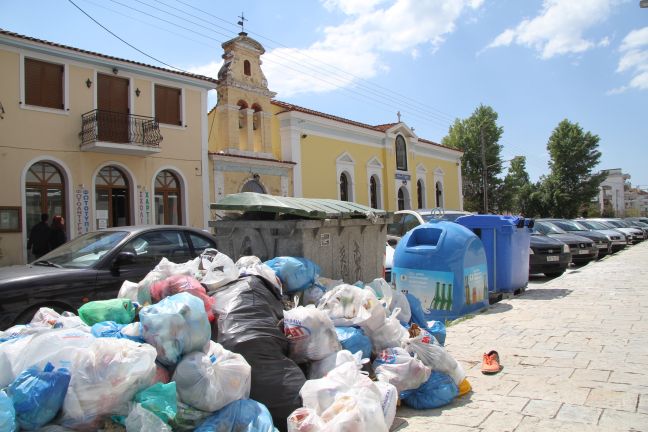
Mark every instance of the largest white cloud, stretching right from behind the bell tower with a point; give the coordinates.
(355, 47)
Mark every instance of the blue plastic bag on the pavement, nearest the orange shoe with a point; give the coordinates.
(437, 391)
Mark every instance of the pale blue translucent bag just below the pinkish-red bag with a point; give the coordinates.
(175, 326)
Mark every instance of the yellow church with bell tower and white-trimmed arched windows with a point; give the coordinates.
(260, 144)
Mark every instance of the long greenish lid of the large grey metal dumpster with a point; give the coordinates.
(314, 208)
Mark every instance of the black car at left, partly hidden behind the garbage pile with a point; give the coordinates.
(93, 267)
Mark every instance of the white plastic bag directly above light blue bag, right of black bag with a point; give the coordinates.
(348, 305)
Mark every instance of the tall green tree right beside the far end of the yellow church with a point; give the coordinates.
(469, 135)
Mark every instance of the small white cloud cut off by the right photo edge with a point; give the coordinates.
(634, 59)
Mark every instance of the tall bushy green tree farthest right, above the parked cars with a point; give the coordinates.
(571, 184)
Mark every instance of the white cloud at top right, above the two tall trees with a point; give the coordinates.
(559, 28)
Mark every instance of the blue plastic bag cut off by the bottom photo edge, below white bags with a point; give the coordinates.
(244, 415)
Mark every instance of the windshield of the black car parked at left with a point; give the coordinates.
(84, 251)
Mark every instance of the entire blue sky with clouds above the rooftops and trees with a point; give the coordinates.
(536, 62)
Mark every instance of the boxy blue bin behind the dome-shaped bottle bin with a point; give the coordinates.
(506, 242)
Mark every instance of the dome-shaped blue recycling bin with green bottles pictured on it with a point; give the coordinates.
(443, 265)
